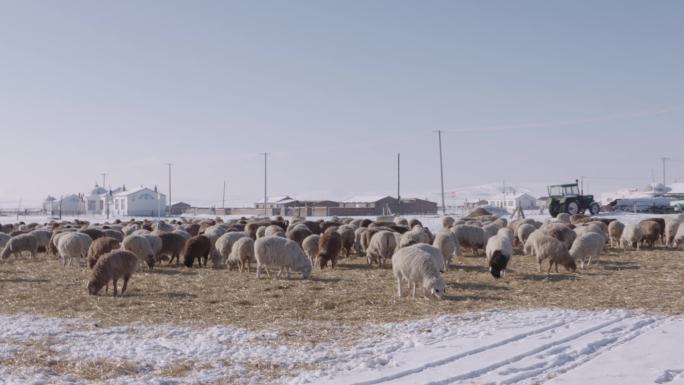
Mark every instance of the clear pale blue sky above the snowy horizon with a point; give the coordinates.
(333, 90)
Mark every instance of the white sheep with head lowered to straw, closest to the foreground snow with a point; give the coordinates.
(415, 265)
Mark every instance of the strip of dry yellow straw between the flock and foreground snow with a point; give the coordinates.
(352, 294)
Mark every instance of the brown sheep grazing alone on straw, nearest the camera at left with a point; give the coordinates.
(112, 267)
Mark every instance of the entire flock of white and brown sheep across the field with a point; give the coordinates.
(114, 251)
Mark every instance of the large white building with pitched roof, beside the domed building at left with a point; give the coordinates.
(139, 202)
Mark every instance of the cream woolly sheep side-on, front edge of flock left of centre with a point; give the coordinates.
(281, 253)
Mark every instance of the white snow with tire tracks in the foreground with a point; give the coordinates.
(507, 347)
